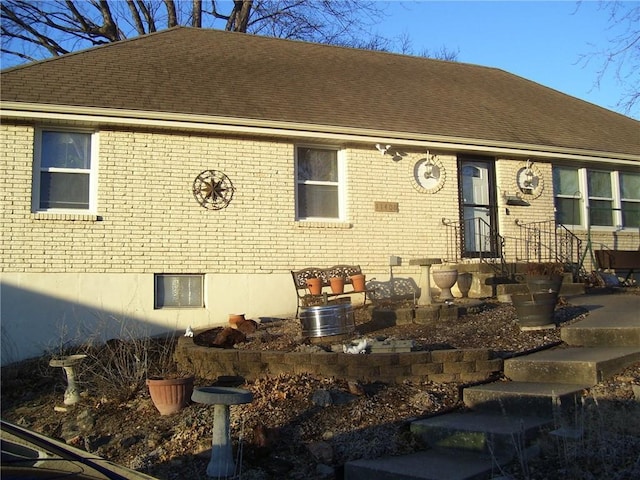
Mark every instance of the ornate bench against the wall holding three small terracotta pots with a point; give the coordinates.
(306, 299)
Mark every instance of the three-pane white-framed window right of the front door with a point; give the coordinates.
(606, 198)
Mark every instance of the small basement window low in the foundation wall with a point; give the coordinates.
(179, 291)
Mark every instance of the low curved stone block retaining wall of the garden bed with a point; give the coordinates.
(441, 366)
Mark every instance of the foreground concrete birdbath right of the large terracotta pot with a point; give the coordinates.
(221, 464)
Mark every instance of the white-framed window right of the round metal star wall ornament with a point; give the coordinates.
(318, 174)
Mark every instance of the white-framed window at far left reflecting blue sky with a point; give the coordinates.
(65, 169)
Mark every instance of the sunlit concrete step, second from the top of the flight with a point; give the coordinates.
(584, 365)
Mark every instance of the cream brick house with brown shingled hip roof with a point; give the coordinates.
(172, 179)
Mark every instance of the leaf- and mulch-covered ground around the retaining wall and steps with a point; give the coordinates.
(303, 427)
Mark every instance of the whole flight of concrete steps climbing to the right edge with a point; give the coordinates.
(473, 445)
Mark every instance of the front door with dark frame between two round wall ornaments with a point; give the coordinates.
(477, 200)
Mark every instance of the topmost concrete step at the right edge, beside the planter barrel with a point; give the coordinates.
(594, 332)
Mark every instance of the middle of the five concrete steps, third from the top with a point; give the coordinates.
(517, 398)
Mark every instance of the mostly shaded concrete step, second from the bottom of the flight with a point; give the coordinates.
(480, 432)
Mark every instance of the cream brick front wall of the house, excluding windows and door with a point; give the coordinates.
(148, 222)
